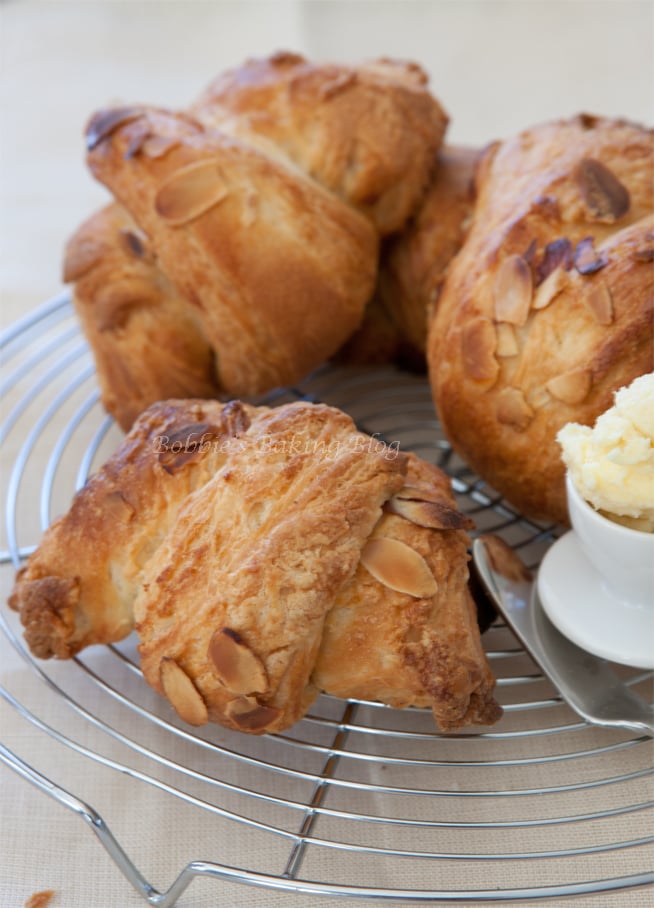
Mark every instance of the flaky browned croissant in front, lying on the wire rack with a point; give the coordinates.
(265, 555)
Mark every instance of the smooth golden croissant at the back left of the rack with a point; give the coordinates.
(242, 245)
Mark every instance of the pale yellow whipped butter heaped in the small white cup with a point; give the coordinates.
(612, 464)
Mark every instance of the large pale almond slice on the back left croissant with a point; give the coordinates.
(190, 191)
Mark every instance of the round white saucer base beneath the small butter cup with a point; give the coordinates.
(578, 603)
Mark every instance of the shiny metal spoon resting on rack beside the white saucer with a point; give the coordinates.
(586, 682)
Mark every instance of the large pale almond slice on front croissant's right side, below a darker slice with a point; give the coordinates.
(399, 567)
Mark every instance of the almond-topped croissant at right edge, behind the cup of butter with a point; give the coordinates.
(547, 309)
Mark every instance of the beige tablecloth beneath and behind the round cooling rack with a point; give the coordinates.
(496, 66)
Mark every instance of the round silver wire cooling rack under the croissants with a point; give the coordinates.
(357, 799)
